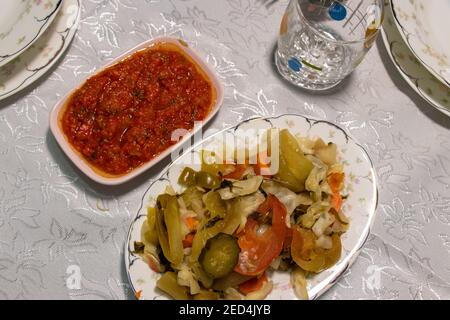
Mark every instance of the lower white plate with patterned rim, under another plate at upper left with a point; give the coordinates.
(43, 54)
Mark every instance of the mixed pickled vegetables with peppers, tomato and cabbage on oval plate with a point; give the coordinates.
(231, 228)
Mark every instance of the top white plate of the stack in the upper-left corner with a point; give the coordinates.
(22, 23)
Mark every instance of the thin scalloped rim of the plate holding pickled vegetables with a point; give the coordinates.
(361, 240)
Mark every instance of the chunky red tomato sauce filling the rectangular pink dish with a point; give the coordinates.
(124, 116)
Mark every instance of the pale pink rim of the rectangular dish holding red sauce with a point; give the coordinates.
(82, 164)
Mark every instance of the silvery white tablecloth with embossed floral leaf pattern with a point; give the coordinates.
(54, 221)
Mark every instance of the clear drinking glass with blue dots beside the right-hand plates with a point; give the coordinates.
(322, 41)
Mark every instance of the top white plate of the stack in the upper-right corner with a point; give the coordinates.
(424, 26)
